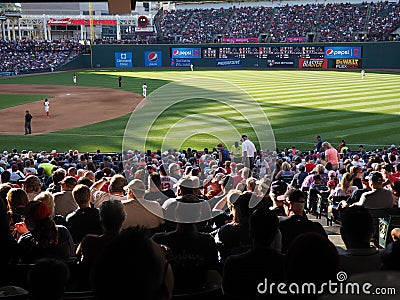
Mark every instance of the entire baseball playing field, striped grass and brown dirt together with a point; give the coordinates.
(198, 109)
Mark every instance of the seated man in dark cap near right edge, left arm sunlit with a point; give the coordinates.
(378, 197)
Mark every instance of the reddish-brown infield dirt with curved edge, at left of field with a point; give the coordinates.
(70, 106)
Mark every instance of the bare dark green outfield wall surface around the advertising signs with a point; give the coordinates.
(379, 55)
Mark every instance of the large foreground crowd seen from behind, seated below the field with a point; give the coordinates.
(184, 220)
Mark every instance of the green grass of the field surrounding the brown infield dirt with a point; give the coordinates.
(297, 104)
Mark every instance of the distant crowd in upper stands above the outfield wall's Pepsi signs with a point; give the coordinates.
(338, 22)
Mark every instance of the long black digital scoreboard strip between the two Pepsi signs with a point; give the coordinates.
(264, 52)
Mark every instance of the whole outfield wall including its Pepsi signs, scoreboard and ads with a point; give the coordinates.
(379, 55)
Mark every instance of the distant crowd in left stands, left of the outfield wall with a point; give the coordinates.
(27, 56)
